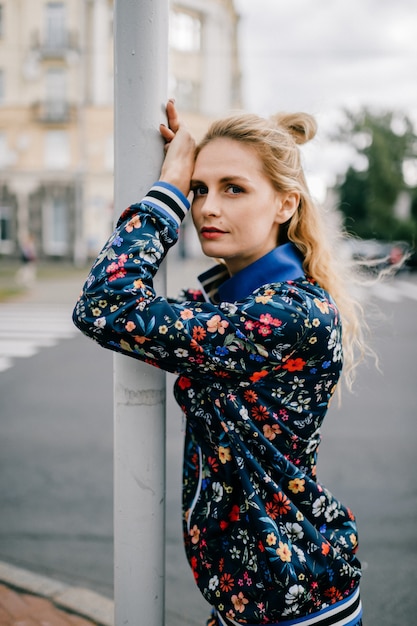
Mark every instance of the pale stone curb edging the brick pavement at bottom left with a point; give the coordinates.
(82, 602)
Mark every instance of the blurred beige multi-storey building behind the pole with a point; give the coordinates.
(56, 112)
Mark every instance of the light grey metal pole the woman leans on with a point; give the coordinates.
(141, 60)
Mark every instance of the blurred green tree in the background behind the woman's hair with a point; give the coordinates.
(385, 143)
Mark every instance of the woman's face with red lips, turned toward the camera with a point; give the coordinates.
(236, 210)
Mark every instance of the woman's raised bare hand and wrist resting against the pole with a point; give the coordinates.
(178, 164)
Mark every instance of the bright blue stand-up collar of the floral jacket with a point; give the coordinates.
(281, 264)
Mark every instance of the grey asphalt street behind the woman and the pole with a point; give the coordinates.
(56, 466)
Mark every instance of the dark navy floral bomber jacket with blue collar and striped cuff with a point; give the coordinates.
(258, 357)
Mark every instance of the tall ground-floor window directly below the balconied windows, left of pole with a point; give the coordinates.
(55, 226)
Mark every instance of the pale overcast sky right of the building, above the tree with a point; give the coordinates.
(321, 55)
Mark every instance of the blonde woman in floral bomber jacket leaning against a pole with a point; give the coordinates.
(258, 353)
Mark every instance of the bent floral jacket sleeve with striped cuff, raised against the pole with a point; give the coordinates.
(119, 308)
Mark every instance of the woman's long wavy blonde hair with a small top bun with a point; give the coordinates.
(275, 141)
